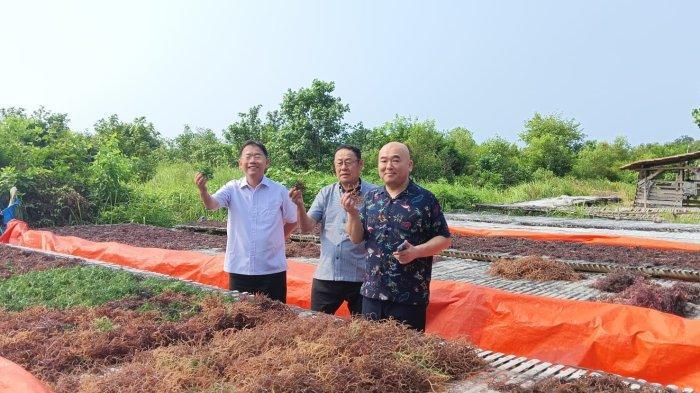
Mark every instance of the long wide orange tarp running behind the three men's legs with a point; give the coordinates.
(620, 339)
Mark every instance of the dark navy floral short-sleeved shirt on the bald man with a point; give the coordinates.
(414, 215)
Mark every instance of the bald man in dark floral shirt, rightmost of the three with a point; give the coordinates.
(403, 227)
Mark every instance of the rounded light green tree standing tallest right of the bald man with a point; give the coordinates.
(551, 143)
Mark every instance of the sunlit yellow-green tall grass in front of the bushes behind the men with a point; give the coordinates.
(171, 197)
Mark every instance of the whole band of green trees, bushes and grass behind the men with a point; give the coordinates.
(66, 177)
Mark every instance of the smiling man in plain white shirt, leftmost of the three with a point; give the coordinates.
(260, 217)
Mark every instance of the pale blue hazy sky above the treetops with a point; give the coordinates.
(619, 68)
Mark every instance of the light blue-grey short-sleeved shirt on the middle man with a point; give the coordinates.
(341, 259)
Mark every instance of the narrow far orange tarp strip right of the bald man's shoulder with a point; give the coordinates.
(590, 238)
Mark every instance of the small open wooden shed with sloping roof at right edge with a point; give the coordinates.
(668, 181)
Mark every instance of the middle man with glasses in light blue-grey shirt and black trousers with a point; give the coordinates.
(341, 270)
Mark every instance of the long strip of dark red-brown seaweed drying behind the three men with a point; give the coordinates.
(148, 236)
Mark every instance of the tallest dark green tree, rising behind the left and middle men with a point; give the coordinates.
(310, 126)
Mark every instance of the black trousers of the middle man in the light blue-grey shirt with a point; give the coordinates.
(327, 296)
